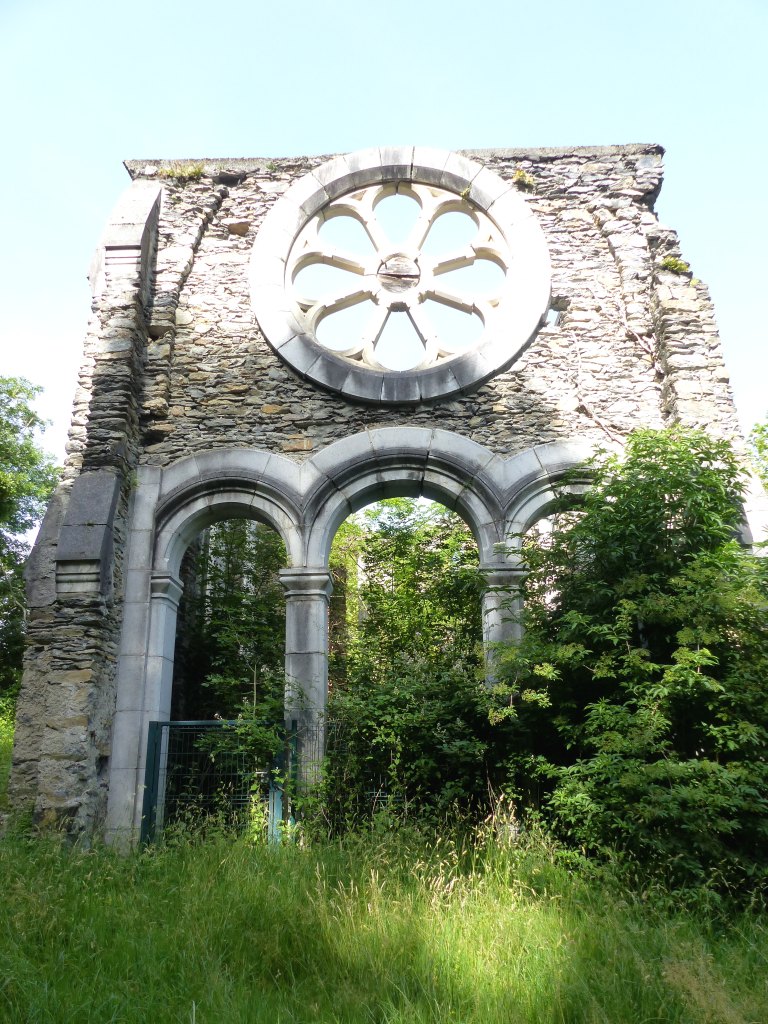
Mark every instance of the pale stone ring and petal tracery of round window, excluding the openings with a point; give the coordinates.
(518, 244)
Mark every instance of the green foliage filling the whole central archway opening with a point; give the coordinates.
(409, 717)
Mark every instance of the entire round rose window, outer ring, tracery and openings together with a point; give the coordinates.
(401, 293)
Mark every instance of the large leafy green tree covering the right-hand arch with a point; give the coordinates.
(638, 694)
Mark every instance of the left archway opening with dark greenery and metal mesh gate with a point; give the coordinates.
(220, 760)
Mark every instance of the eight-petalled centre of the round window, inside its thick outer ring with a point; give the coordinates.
(399, 280)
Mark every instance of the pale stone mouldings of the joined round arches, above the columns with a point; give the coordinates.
(308, 501)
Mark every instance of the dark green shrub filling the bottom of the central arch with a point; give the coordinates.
(417, 738)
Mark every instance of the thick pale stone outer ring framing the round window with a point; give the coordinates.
(527, 290)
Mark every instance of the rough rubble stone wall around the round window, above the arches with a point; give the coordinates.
(621, 355)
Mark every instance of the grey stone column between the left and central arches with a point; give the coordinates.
(308, 596)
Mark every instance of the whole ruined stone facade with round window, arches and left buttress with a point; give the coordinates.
(211, 390)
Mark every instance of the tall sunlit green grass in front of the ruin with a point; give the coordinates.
(389, 928)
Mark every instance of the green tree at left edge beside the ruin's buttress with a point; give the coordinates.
(27, 480)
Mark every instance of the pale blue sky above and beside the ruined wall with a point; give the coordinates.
(88, 84)
